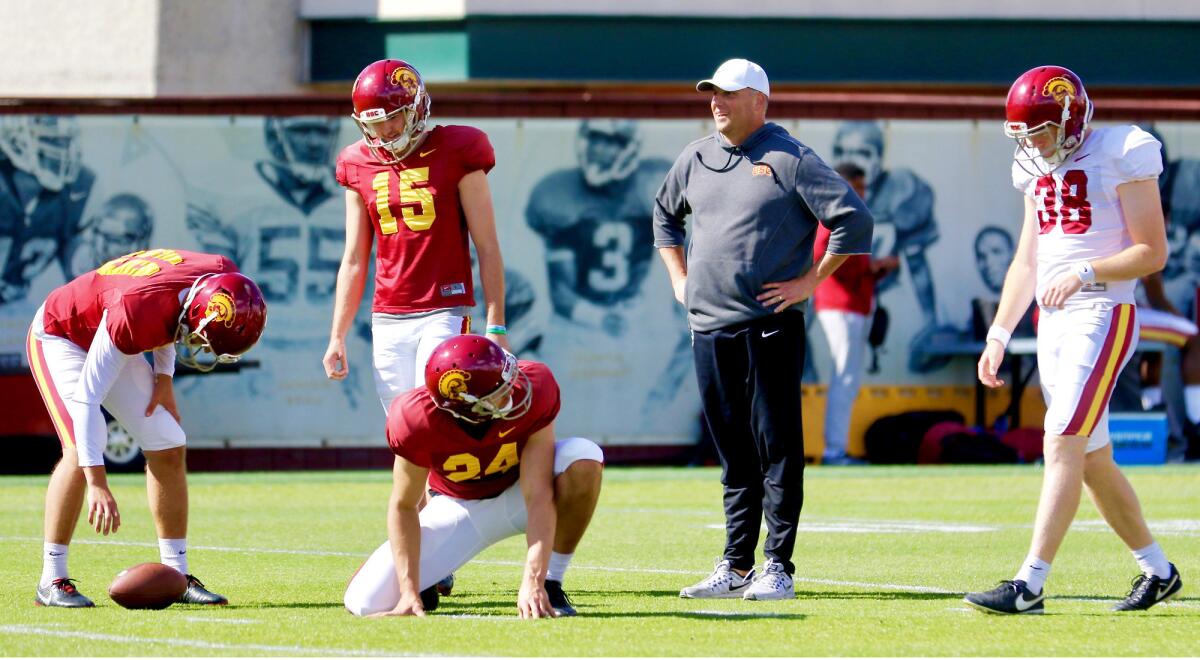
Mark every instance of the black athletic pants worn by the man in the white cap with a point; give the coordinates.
(749, 379)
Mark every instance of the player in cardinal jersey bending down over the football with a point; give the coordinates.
(86, 350)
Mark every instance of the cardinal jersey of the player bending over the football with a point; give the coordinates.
(141, 292)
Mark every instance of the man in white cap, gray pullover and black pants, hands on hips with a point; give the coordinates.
(755, 195)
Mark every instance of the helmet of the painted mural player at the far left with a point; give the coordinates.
(46, 147)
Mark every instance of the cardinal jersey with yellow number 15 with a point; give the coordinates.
(422, 260)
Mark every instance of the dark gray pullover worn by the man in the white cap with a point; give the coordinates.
(755, 212)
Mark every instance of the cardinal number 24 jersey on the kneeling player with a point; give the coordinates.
(460, 465)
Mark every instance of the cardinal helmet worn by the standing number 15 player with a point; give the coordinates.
(385, 91)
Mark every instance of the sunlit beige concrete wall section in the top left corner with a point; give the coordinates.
(67, 49)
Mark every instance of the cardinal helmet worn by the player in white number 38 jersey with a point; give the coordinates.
(1045, 99)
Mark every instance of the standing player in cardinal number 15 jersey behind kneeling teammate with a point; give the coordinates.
(421, 191)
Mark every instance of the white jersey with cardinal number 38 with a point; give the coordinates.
(1078, 209)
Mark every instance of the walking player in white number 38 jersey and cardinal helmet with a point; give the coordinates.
(1094, 225)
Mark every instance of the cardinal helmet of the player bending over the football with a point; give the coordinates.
(224, 316)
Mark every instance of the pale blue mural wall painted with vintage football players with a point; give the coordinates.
(586, 290)
